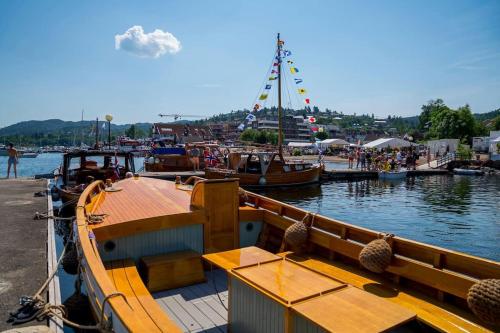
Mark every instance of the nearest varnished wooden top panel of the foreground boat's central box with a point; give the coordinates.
(353, 310)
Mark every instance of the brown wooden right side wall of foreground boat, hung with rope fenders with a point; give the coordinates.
(445, 270)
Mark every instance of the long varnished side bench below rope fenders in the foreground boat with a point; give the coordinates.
(441, 316)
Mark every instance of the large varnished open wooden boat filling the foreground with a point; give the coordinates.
(142, 266)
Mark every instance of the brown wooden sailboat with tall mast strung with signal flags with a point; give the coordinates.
(268, 168)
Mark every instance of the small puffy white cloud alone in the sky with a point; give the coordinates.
(150, 45)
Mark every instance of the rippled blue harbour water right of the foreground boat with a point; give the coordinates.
(456, 212)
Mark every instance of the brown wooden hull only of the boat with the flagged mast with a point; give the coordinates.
(303, 177)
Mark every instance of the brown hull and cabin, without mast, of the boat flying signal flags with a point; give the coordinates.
(264, 169)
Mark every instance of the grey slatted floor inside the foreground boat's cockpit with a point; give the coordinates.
(197, 308)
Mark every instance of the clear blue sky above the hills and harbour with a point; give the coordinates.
(381, 57)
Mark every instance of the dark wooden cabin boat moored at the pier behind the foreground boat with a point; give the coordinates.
(83, 165)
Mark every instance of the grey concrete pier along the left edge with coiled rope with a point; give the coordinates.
(23, 243)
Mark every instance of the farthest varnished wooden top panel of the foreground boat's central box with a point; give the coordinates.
(240, 257)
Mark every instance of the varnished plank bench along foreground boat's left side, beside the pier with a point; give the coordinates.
(126, 279)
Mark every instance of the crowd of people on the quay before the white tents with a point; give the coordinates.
(374, 160)
